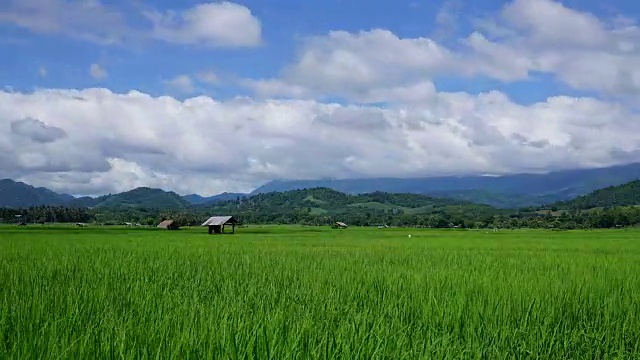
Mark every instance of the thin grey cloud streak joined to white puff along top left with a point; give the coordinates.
(209, 24)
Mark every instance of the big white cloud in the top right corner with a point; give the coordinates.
(578, 48)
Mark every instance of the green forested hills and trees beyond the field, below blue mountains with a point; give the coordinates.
(322, 206)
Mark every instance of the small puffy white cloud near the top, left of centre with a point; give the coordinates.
(214, 24)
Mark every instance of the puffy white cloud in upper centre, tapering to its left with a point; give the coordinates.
(357, 65)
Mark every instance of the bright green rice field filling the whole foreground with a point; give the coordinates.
(304, 292)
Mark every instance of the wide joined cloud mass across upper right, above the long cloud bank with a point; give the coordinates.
(526, 37)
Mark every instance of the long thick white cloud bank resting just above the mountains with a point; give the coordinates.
(113, 142)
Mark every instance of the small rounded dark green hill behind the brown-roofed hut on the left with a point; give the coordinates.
(144, 197)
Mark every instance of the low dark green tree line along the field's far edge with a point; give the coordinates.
(621, 216)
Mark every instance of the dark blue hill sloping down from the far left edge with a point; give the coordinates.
(18, 194)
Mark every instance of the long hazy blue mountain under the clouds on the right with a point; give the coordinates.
(508, 191)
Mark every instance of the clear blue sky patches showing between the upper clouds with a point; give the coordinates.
(285, 24)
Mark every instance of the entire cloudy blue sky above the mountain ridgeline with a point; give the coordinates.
(204, 97)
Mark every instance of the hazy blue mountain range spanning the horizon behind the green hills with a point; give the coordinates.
(510, 191)
